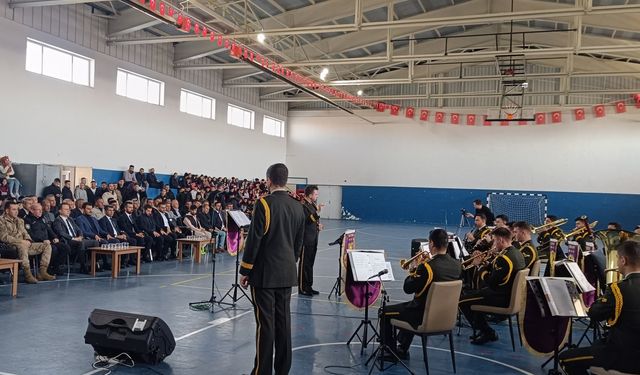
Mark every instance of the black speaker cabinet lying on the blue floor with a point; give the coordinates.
(145, 338)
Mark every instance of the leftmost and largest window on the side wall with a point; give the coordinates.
(55, 62)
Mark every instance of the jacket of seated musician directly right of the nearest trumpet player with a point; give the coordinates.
(500, 274)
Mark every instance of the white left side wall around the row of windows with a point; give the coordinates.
(45, 120)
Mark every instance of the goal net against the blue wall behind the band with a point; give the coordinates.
(531, 208)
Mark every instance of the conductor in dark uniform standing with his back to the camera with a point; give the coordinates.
(273, 246)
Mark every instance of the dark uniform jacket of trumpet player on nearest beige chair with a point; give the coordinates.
(442, 267)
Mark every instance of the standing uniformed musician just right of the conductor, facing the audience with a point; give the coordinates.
(310, 245)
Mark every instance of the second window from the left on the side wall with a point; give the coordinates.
(138, 87)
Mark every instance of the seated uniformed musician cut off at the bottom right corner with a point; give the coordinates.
(620, 307)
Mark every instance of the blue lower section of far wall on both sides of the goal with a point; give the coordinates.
(442, 206)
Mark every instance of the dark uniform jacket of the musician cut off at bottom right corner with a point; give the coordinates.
(620, 307)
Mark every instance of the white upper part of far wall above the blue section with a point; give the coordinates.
(333, 148)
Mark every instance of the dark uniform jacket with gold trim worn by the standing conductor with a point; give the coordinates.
(274, 242)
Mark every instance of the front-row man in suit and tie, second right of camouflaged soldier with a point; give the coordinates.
(68, 231)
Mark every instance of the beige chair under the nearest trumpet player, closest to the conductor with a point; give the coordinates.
(439, 316)
